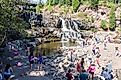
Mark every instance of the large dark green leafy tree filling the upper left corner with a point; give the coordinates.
(10, 22)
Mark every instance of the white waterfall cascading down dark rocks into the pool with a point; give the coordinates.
(69, 33)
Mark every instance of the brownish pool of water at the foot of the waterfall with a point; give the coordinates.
(51, 47)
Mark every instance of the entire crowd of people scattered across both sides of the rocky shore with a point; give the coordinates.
(85, 67)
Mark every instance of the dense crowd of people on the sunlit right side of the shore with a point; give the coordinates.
(89, 73)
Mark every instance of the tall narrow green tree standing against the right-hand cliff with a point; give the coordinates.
(112, 19)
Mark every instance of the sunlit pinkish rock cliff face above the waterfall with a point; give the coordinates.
(85, 15)
